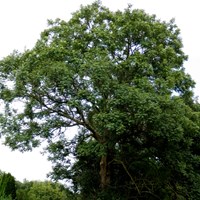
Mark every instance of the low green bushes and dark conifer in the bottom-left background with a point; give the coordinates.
(32, 190)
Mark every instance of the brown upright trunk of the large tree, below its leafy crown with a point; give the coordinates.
(104, 172)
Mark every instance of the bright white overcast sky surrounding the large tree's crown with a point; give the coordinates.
(22, 21)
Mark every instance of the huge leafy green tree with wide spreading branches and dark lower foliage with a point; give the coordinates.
(119, 78)
